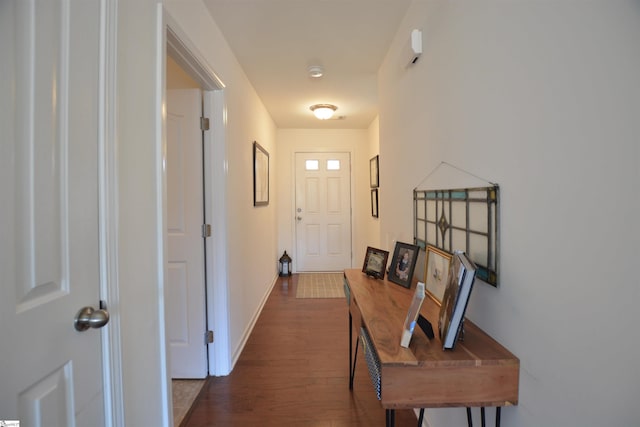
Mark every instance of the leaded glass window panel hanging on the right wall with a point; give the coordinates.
(461, 219)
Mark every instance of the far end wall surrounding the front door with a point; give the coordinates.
(354, 141)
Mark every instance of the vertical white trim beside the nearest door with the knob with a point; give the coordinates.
(108, 212)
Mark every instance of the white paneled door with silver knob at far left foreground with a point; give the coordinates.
(51, 374)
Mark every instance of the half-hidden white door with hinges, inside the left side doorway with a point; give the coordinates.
(185, 307)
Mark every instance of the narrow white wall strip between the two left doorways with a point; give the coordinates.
(139, 252)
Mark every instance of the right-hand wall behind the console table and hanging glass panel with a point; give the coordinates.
(542, 97)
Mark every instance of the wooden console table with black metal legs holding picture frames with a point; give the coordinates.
(479, 372)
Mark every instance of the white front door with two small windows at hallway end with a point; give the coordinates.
(323, 211)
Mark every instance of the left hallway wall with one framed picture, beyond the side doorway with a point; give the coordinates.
(251, 231)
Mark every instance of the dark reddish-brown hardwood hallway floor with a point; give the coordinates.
(294, 371)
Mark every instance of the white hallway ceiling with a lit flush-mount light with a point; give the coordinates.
(276, 41)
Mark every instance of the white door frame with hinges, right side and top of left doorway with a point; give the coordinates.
(191, 61)
